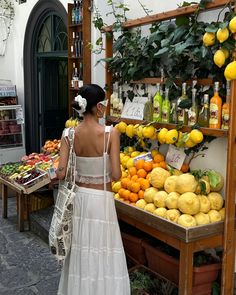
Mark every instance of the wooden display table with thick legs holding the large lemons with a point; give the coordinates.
(186, 240)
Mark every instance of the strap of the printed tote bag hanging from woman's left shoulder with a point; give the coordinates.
(70, 171)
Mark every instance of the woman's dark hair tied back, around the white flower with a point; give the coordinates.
(93, 93)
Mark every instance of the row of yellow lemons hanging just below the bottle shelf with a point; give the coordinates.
(164, 136)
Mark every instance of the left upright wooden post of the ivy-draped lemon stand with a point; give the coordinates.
(109, 53)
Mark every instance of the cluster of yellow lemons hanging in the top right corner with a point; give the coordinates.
(222, 54)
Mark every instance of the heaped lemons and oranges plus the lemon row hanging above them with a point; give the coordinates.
(186, 197)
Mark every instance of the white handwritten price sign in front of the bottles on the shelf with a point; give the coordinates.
(133, 110)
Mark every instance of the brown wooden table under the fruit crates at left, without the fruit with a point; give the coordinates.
(22, 200)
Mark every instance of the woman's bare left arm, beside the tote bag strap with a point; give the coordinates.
(64, 155)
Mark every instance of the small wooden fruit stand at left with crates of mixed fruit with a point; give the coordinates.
(32, 173)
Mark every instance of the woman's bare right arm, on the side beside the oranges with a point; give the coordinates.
(115, 154)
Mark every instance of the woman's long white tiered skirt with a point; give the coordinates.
(96, 264)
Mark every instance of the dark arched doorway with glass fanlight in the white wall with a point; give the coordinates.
(45, 73)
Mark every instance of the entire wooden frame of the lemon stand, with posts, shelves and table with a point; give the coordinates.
(192, 239)
